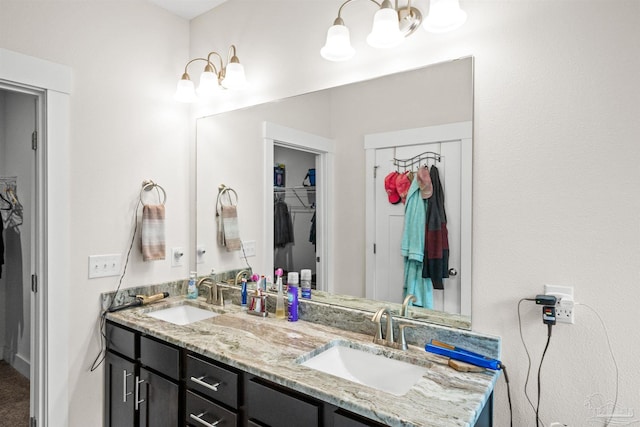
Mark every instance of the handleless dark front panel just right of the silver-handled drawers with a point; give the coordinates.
(276, 408)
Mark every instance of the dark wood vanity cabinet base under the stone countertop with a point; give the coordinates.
(151, 383)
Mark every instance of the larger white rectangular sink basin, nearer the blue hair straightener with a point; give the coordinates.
(366, 368)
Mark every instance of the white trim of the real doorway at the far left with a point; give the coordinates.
(52, 242)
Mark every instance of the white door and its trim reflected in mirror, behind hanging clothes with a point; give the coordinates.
(385, 263)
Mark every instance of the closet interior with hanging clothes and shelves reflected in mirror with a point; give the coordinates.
(295, 207)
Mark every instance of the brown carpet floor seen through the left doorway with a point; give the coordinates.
(14, 397)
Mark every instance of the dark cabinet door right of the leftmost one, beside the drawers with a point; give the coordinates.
(158, 401)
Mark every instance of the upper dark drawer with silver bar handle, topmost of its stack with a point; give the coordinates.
(212, 380)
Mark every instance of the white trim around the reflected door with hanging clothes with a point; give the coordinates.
(462, 131)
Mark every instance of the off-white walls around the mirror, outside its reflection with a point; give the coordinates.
(555, 174)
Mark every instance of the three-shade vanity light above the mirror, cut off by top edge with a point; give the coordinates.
(391, 25)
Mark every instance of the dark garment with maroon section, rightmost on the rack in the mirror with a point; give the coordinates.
(435, 265)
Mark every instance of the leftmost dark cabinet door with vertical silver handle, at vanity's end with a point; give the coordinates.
(119, 391)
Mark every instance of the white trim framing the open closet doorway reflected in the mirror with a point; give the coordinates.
(324, 148)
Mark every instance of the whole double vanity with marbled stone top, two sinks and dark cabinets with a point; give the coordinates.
(185, 362)
